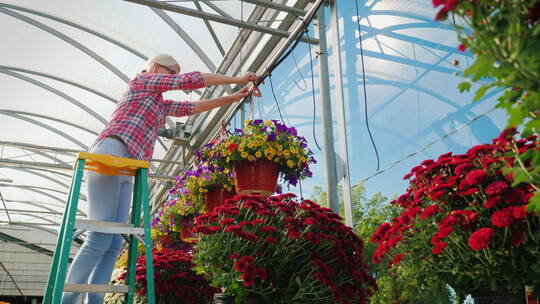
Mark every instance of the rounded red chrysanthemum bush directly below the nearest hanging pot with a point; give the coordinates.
(272, 243)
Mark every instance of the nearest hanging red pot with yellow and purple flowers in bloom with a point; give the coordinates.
(260, 153)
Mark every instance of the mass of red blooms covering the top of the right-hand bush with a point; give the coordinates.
(461, 194)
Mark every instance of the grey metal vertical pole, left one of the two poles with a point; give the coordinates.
(326, 113)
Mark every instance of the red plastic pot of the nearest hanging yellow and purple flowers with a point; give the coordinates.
(256, 178)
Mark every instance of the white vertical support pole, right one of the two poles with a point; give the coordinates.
(336, 48)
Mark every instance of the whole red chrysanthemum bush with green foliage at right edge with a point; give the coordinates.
(464, 222)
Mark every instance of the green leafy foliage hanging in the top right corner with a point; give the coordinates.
(505, 40)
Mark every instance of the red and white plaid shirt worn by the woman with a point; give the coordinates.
(142, 110)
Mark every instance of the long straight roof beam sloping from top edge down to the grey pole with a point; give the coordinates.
(217, 18)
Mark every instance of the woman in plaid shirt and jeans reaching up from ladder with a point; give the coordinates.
(132, 133)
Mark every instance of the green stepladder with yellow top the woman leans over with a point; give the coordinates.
(110, 165)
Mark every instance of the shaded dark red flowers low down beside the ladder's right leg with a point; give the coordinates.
(174, 280)
